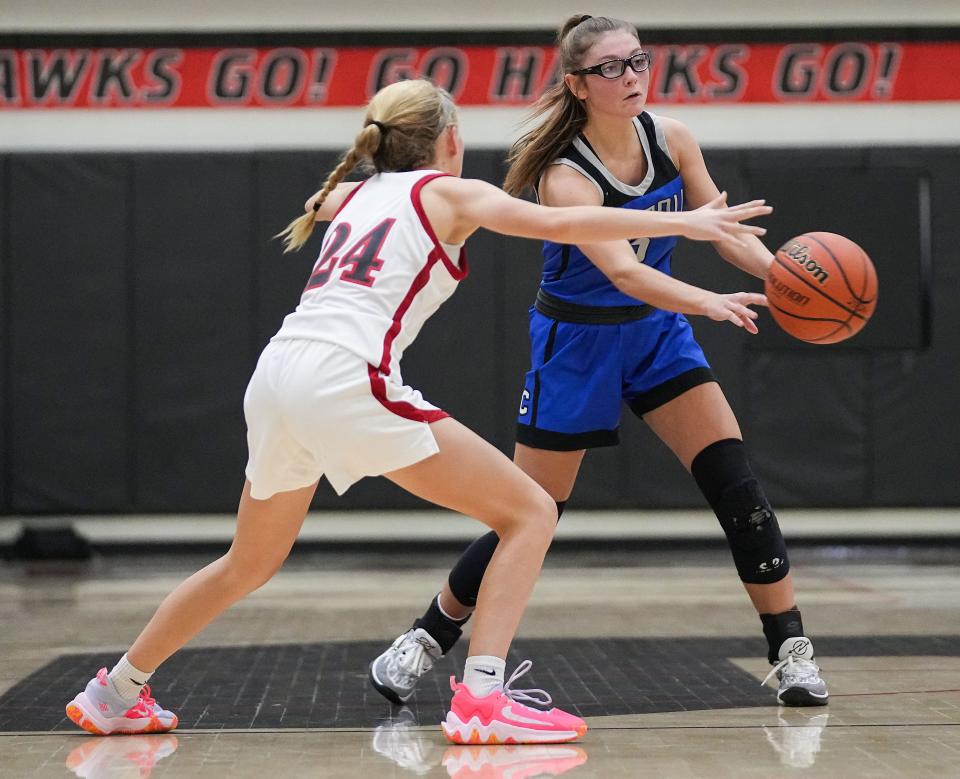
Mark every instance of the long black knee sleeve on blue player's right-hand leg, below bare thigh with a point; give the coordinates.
(724, 476)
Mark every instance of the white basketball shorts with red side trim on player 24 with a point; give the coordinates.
(316, 409)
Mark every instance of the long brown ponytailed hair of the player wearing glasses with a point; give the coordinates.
(562, 113)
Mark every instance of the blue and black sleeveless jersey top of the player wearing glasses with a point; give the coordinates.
(567, 273)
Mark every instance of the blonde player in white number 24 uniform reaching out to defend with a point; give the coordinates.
(327, 398)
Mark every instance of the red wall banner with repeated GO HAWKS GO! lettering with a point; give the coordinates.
(290, 77)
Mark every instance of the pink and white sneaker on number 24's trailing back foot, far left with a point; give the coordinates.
(100, 710)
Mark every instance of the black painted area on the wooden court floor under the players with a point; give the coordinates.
(325, 685)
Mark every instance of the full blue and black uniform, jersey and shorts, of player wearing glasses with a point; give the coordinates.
(593, 348)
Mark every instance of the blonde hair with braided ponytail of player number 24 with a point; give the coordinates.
(401, 127)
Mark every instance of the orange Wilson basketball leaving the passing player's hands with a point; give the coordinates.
(822, 288)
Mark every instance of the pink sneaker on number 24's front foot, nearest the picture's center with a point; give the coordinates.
(501, 718)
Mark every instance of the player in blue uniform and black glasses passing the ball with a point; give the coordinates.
(604, 335)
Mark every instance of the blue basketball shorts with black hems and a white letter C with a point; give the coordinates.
(581, 374)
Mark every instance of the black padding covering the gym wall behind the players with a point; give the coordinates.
(137, 290)
